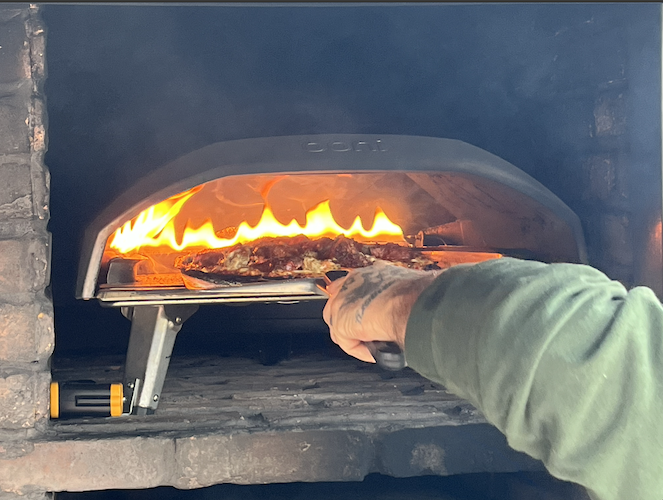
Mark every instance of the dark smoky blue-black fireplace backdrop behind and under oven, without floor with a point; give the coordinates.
(568, 93)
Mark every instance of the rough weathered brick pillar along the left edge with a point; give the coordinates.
(26, 311)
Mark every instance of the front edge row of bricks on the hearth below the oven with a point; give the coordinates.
(257, 458)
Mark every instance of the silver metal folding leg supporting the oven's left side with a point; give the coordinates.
(153, 332)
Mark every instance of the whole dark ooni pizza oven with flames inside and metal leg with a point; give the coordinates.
(443, 200)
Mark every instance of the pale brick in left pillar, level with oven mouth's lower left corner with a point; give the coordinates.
(24, 265)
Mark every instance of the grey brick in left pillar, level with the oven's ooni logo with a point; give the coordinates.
(14, 119)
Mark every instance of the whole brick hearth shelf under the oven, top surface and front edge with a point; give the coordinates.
(232, 420)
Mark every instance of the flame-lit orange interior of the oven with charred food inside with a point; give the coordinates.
(266, 228)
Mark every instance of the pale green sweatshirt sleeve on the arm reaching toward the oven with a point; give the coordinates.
(565, 362)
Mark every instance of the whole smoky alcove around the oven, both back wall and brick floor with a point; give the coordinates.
(567, 93)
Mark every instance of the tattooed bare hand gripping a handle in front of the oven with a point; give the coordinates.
(373, 303)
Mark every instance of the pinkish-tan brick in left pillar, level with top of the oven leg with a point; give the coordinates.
(26, 332)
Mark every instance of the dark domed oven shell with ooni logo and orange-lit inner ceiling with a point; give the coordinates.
(443, 190)
